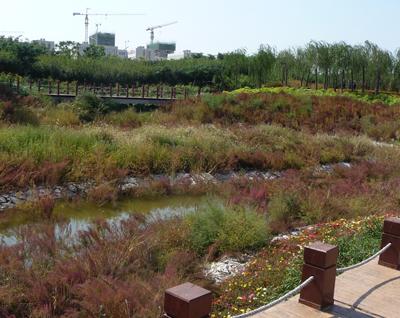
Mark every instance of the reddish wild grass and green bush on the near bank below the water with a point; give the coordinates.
(113, 270)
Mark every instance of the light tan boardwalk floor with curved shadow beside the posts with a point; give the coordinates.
(368, 291)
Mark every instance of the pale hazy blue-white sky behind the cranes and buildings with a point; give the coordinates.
(211, 26)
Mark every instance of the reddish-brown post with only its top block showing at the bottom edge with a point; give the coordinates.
(187, 301)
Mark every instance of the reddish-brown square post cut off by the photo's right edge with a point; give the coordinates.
(391, 234)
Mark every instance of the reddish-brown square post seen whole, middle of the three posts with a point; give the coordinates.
(319, 261)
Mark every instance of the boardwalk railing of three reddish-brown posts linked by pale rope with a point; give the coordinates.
(318, 279)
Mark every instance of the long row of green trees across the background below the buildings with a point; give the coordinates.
(317, 64)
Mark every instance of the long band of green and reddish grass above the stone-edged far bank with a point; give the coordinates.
(58, 154)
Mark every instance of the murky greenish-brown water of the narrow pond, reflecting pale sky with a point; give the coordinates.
(79, 216)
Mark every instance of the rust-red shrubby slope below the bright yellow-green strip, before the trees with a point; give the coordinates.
(301, 111)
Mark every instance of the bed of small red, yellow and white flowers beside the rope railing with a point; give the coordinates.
(277, 269)
